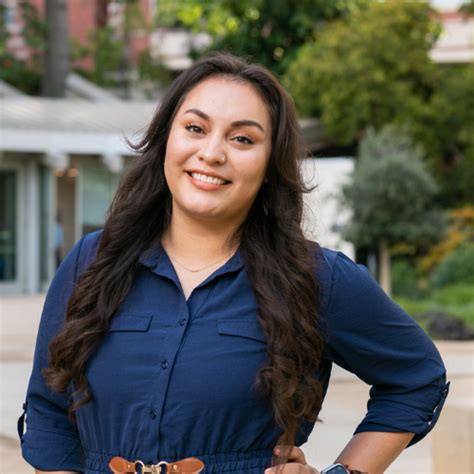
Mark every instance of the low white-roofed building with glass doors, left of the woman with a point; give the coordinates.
(61, 161)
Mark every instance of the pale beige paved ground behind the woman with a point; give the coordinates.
(343, 409)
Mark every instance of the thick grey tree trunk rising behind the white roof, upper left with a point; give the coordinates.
(56, 61)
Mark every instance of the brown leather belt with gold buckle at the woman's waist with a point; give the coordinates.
(120, 465)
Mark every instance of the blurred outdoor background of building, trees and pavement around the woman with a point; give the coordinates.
(385, 96)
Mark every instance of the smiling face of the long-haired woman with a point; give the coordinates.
(218, 150)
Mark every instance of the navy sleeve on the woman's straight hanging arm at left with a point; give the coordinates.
(51, 442)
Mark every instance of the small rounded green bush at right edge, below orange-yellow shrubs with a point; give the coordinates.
(456, 267)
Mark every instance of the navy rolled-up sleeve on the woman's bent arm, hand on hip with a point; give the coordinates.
(371, 336)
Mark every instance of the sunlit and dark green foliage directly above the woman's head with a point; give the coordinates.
(269, 32)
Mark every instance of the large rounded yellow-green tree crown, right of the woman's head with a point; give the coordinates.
(369, 68)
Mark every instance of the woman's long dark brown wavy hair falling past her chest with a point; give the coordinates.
(278, 259)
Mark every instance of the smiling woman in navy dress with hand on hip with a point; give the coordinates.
(200, 322)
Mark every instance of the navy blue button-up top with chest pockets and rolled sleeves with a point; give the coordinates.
(175, 378)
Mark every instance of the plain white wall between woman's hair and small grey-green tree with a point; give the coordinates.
(323, 214)
